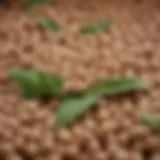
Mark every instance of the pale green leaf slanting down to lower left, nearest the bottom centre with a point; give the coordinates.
(73, 107)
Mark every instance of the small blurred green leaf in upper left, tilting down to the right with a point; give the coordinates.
(48, 24)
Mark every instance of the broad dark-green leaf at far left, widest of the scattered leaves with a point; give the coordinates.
(36, 84)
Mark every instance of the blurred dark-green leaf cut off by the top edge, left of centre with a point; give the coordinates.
(28, 4)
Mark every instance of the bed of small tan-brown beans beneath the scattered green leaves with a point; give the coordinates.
(111, 131)
